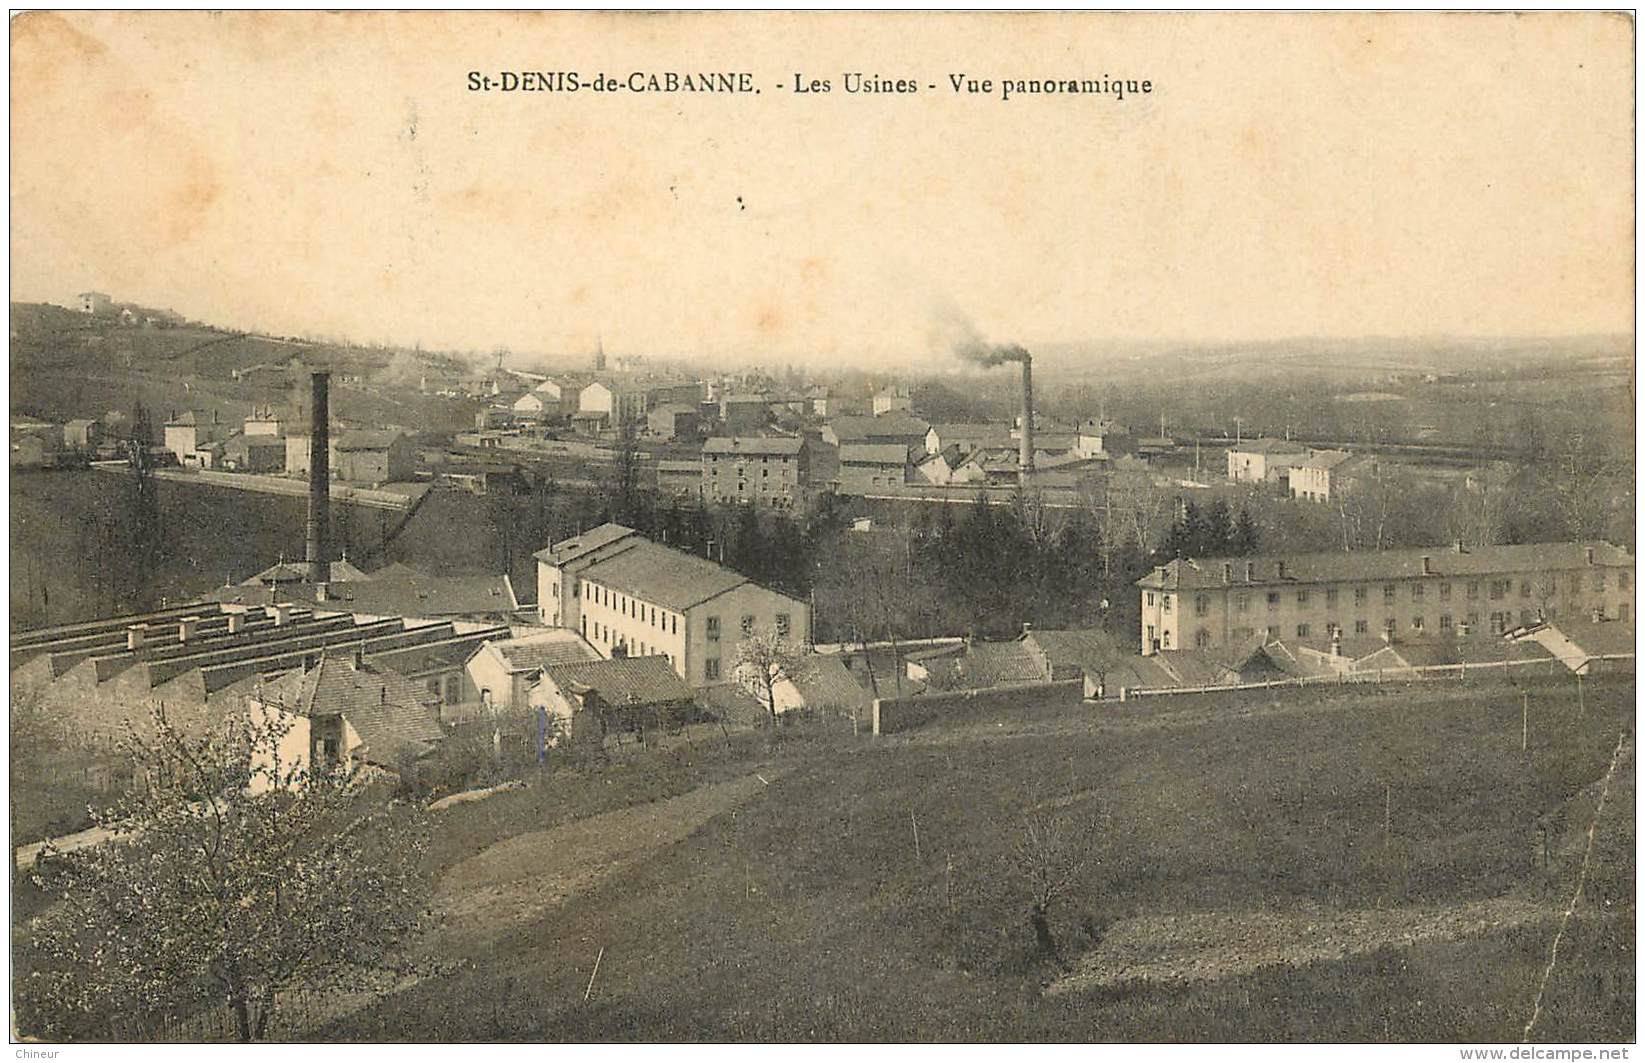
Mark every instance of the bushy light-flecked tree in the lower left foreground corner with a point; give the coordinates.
(233, 876)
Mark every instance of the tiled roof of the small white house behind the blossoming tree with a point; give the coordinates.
(384, 708)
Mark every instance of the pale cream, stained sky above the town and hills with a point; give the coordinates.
(1289, 175)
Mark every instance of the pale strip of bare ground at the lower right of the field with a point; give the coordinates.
(1212, 945)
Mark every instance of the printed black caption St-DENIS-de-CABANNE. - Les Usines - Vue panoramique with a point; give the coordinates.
(734, 83)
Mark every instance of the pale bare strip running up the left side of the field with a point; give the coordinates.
(529, 875)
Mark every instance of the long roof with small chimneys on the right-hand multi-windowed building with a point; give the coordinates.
(1373, 565)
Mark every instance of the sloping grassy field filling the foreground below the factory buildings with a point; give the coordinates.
(804, 907)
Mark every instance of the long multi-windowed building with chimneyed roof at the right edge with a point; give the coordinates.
(1203, 603)
